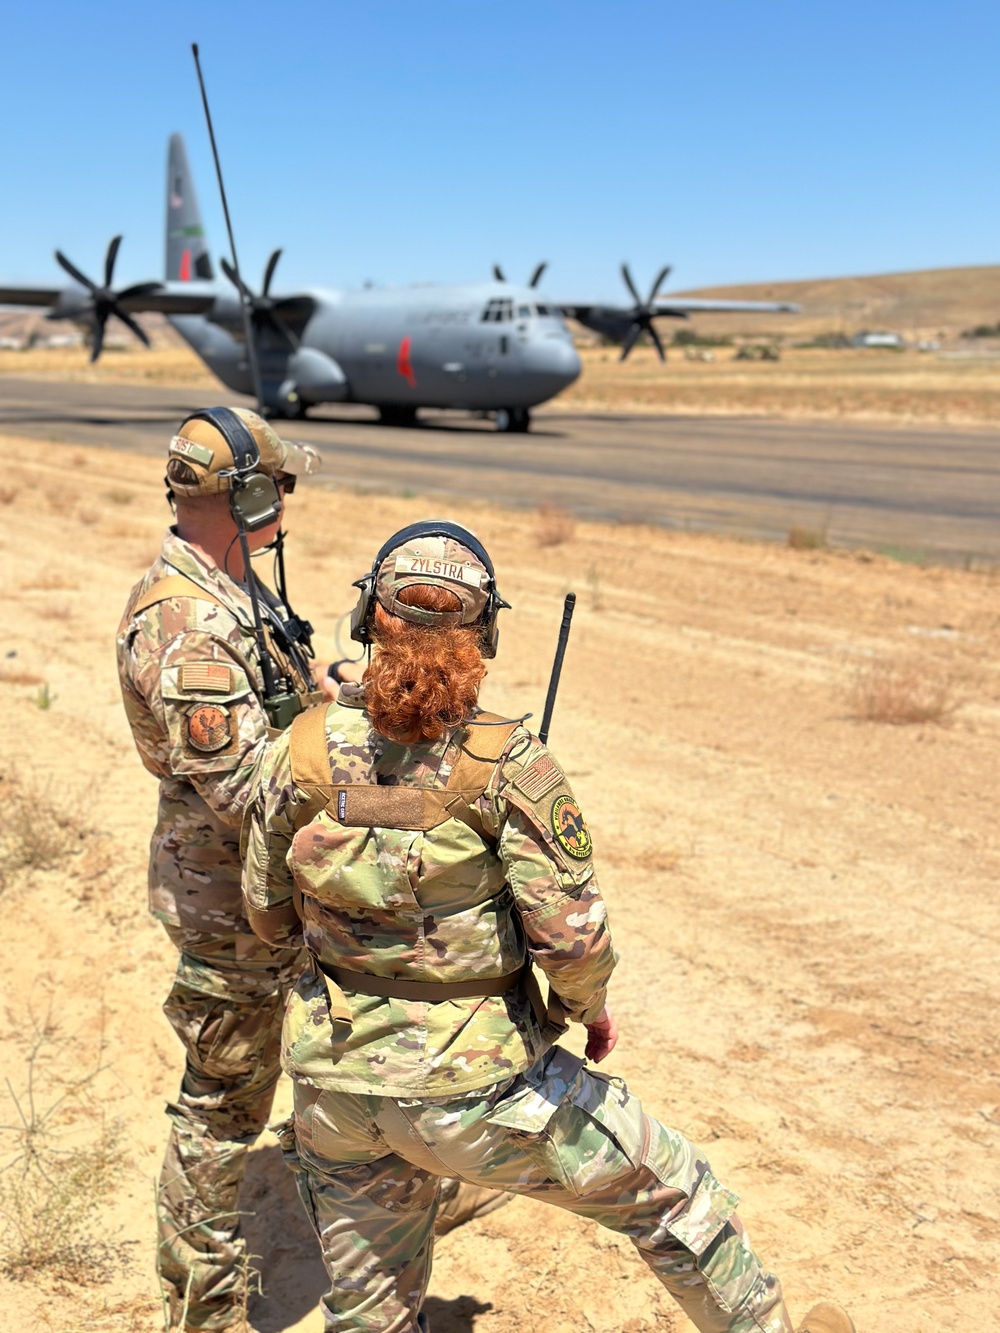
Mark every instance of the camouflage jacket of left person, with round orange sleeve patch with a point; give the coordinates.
(193, 692)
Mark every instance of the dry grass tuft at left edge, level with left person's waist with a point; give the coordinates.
(37, 831)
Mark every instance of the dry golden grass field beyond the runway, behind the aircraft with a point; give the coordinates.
(959, 386)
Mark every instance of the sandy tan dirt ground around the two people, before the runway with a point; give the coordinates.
(805, 904)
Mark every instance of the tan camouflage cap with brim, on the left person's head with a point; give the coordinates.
(206, 451)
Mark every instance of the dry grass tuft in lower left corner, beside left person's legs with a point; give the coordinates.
(51, 1183)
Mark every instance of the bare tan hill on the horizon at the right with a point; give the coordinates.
(927, 303)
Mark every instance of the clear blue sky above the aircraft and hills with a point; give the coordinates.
(741, 141)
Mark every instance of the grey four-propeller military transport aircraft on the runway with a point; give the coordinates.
(491, 349)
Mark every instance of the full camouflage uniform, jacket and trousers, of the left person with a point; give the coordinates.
(193, 696)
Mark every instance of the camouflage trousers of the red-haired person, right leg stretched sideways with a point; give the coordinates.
(369, 1171)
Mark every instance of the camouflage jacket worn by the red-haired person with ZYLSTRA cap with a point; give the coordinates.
(437, 906)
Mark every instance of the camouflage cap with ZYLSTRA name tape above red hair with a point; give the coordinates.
(442, 562)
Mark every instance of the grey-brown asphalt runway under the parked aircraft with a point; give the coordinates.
(907, 490)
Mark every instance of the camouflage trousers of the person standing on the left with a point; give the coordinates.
(226, 1006)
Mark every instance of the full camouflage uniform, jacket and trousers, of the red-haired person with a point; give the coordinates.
(391, 1095)
